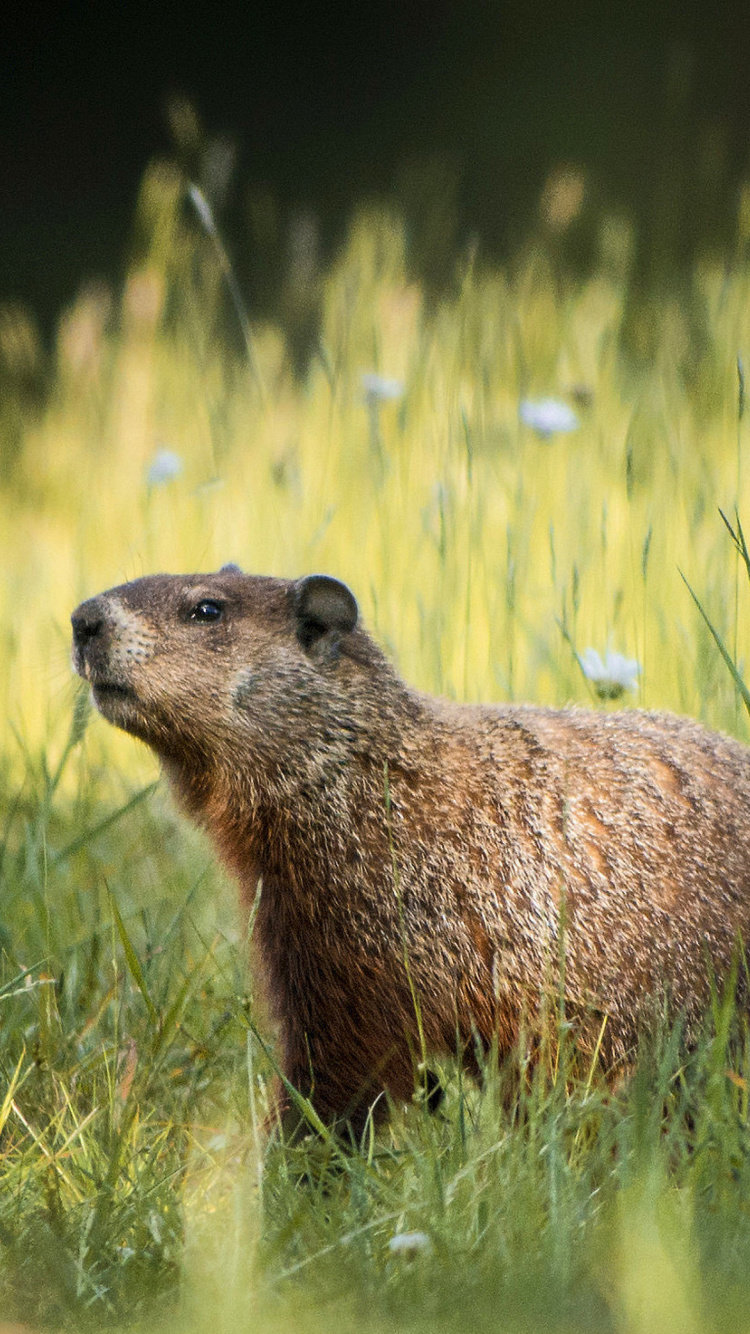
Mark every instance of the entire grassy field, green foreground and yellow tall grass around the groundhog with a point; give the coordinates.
(135, 1184)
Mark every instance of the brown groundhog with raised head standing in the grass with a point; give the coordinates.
(434, 877)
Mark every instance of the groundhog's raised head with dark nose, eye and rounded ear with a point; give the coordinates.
(209, 665)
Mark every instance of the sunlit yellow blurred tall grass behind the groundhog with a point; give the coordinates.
(466, 538)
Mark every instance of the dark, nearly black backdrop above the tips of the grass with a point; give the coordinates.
(328, 105)
